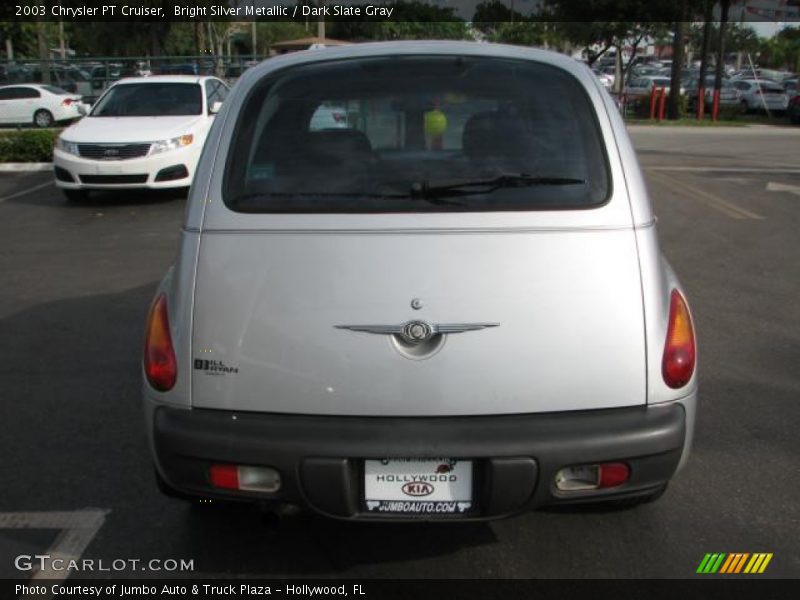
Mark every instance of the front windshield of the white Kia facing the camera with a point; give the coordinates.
(150, 100)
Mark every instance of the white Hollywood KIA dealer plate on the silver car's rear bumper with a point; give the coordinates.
(418, 486)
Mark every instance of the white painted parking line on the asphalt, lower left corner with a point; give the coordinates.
(78, 528)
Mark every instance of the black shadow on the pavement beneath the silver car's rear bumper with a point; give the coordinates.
(240, 539)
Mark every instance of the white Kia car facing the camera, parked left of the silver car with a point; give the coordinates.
(141, 133)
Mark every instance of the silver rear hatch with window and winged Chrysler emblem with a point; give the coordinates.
(320, 247)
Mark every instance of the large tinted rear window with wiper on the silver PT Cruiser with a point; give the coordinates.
(413, 134)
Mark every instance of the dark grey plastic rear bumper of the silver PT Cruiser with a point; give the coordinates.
(516, 457)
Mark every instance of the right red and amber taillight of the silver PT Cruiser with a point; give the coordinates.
(679, 350)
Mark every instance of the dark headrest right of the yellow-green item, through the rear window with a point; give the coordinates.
(497, 135)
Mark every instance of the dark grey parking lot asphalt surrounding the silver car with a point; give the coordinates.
(76, 284)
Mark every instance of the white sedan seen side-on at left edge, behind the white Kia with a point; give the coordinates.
(39, 105)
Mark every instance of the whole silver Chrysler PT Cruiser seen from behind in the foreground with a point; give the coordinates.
(447, 303)
